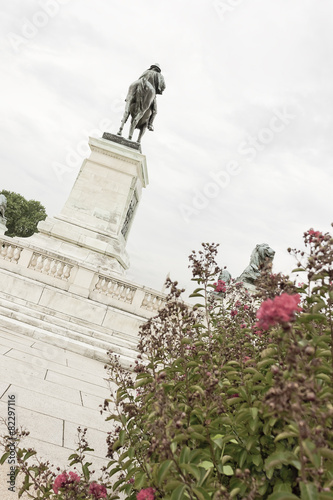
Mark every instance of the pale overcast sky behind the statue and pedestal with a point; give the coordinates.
(242, 148)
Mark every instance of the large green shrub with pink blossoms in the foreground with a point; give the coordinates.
(229, 399)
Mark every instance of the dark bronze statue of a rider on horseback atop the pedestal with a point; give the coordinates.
(141, 101)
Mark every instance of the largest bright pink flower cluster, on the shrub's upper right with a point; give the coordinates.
(279, 310)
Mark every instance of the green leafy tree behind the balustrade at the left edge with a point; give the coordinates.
(22, 215)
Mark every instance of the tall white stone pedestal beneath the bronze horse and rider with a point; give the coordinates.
(94, 223)
